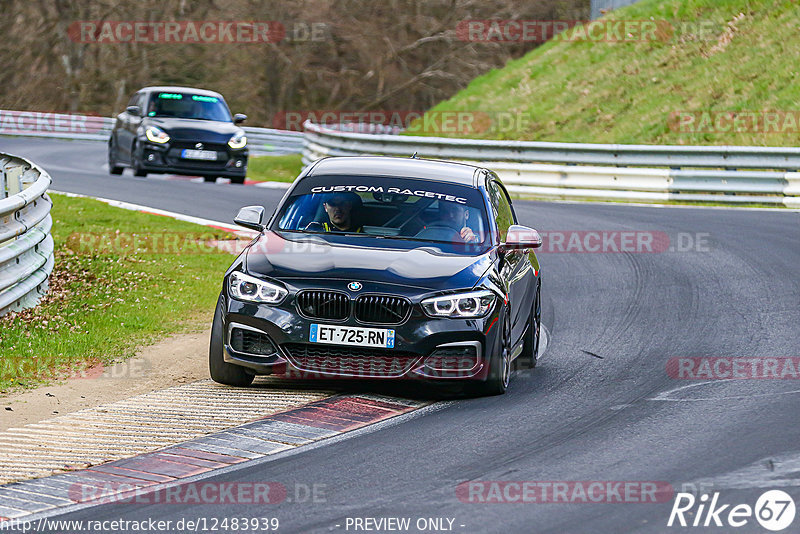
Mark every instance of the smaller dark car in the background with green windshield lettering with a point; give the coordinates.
(179, 130)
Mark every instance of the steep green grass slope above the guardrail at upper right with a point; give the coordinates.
(710, 57)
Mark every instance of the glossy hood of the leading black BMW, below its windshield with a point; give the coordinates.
(308, 258)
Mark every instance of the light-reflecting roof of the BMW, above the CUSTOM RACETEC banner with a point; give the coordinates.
(442, 171)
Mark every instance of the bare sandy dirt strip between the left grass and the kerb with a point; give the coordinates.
(176, 360)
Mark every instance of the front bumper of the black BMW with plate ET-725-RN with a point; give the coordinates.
(438, 349)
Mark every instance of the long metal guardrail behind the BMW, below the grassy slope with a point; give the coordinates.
(651, 173)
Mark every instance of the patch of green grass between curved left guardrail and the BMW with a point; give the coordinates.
(122, 279)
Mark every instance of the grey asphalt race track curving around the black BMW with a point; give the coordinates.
(601, 406)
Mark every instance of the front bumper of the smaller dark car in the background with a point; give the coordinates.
(166, 158)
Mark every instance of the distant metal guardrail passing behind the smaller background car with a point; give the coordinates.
(261, 141)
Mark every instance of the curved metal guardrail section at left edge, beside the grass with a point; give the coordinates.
(26, 246)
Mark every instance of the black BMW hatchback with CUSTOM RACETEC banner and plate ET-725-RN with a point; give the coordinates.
(379, 267)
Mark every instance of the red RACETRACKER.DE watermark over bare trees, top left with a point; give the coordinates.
(196, 32)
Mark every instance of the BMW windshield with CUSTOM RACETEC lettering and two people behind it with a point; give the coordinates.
(392, 208)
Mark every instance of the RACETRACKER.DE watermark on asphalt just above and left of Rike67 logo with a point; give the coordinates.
(565, 491)
